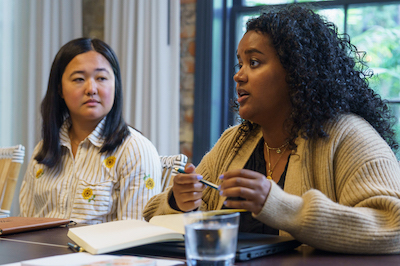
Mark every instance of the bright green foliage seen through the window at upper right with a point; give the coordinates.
(376, 30)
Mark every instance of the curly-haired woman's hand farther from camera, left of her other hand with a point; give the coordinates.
(187, 189)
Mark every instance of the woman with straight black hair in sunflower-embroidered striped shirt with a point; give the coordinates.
(90, 166)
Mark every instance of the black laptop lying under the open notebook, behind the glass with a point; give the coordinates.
(249, 246)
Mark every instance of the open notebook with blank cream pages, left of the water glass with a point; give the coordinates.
(122, 234)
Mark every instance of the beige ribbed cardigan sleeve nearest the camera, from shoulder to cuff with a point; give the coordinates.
(350, 201)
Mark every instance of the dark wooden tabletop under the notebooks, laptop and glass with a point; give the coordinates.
(50, 242)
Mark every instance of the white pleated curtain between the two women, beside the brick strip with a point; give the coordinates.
(145, 35)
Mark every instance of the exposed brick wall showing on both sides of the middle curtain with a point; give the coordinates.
(93, 26)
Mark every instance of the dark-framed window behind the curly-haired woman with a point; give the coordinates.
(373, 25)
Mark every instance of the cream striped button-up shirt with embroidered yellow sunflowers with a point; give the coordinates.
(93, 187)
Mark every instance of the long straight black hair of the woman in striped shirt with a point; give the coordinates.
(54, 110)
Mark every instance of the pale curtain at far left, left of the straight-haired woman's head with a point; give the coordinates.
(33, 32)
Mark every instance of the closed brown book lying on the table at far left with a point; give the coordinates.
(12, 225)
